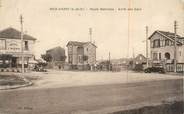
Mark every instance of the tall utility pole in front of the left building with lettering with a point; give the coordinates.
(22, 50)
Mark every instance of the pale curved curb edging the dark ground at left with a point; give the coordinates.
(16, 86)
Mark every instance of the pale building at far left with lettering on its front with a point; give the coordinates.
(10, 48)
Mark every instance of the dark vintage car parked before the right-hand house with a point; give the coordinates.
(154, 69)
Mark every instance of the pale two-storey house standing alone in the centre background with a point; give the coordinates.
(81, 53)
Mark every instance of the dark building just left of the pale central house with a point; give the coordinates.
(58, 57)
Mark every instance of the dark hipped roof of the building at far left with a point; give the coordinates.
(11, 33)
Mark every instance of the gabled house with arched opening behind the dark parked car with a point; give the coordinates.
(162, 48)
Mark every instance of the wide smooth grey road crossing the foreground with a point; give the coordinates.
(97, 99)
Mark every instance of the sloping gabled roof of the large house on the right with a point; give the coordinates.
(168, 35)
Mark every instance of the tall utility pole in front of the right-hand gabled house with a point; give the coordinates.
(175, 46)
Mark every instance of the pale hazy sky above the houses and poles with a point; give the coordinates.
(121, 33)
